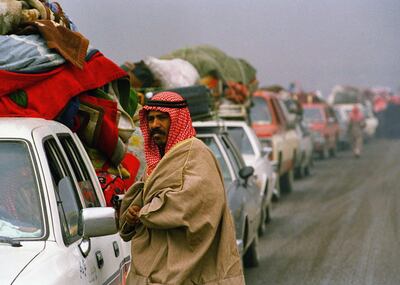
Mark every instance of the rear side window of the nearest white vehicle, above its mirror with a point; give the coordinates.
(80, 171)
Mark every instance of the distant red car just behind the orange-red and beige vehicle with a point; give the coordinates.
(323, 124)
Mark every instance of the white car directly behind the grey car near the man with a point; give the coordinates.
(253, 155)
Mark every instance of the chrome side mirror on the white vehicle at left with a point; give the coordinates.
(98, 221)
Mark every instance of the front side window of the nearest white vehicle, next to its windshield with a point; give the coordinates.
(68, 206)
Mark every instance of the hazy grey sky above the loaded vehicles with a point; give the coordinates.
(318, 43)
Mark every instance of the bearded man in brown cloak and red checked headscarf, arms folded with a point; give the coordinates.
(178, 219)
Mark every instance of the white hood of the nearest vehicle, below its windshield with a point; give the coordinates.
(15, 259)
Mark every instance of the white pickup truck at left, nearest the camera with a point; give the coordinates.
(54, 226)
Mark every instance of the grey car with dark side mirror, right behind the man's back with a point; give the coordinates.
(242, 192)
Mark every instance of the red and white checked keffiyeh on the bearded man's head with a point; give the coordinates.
(180, 126)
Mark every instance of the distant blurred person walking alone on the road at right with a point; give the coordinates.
(355, 130)
